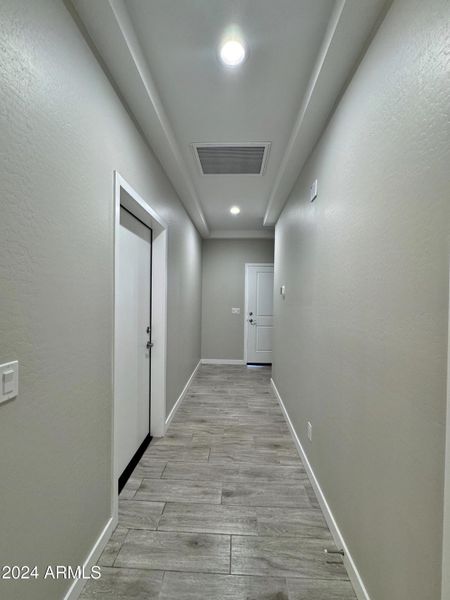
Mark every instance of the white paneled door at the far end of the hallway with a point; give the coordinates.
(259, 313)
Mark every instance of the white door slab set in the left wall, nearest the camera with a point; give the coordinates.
(132, 408)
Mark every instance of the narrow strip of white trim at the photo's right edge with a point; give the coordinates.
(446, 523)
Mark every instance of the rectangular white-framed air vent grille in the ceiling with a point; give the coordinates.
(232, 159)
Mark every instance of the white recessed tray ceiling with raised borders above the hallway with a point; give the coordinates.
(162, 55)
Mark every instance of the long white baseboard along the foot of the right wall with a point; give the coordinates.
(355, 577)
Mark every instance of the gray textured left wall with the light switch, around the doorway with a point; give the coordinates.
(63, 131)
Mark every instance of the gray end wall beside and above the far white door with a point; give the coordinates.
(223, 283)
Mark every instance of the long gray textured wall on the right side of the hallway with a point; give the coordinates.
(361, 339)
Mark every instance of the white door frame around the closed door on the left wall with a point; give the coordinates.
(126, 196)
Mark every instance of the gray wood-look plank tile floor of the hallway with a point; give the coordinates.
(221, 508)
